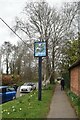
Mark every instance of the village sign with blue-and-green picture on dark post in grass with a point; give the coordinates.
(40, 51)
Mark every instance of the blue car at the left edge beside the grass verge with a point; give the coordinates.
(7, 94)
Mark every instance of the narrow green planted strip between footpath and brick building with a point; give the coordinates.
(75, 101)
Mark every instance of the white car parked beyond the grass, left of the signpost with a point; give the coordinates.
(27, 87)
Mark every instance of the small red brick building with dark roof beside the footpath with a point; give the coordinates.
(75, 78)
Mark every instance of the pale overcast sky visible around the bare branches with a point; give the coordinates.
(9, 9)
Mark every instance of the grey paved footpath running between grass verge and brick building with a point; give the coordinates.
(60, 106)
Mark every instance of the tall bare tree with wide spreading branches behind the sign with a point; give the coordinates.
(43, 23)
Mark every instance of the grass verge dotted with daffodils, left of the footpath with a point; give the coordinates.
(28, 105)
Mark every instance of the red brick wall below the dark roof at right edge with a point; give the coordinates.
(75, 86)
